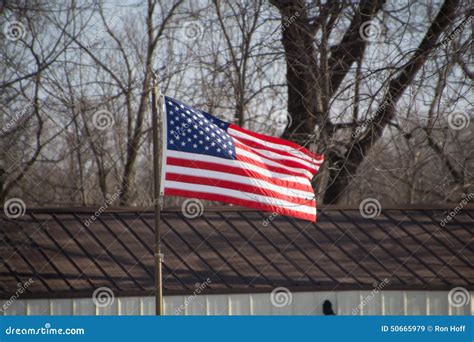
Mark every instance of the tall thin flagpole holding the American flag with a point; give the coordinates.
(157, 146)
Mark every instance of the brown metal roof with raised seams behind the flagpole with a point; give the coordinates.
(235, 250)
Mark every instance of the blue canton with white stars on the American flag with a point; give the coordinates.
(194, 131)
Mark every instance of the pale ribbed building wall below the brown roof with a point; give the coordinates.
(301, 303)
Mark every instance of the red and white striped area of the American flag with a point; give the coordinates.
(268, 174)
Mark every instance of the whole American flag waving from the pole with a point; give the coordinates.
(207, 158)
